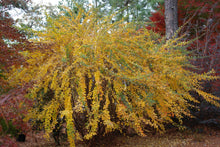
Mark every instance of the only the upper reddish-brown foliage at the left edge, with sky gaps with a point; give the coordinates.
(11, 39)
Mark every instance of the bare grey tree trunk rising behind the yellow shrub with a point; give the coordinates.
(171, 18)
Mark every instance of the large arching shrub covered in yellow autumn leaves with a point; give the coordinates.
(111, 74)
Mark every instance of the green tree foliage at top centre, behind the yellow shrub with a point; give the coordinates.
(137, 10)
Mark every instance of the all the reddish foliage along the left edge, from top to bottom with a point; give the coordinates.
(13, 104)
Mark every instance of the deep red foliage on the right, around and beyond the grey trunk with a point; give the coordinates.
(203, 25)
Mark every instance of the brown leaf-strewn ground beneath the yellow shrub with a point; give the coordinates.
(207, 138)
